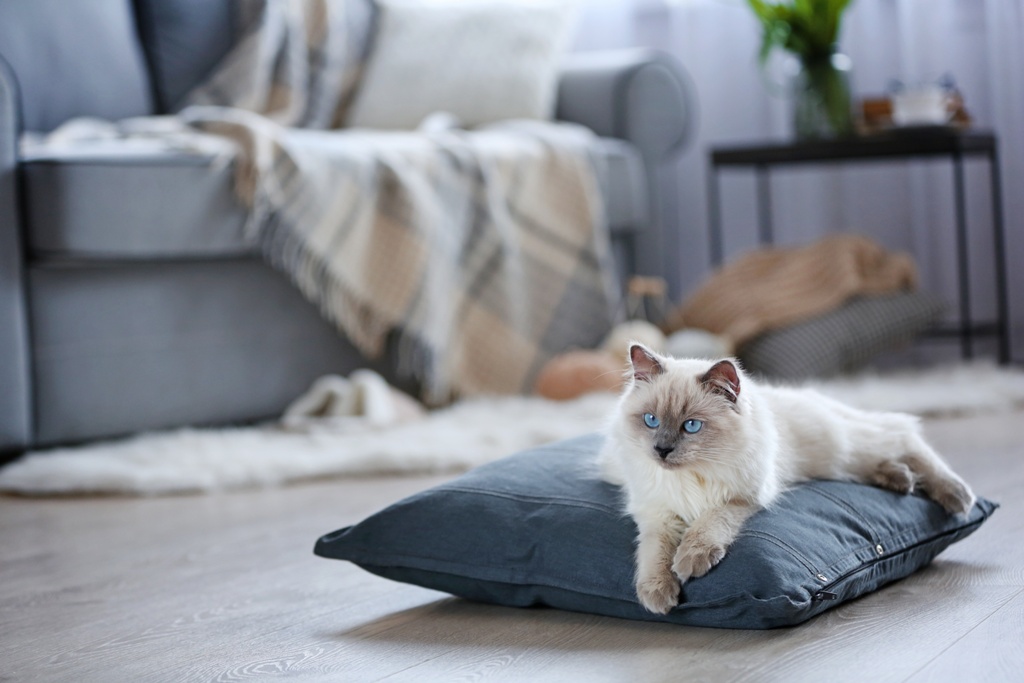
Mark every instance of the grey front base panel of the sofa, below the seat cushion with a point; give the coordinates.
(127, 348)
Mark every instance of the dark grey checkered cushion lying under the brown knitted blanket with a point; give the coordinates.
(842, 340)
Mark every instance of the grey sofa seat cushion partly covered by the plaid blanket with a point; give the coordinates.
(130, 201)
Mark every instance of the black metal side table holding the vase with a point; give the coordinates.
(900, 145)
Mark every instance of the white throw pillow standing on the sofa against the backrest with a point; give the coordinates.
(479, 62)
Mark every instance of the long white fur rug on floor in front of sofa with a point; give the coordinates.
(457, 439)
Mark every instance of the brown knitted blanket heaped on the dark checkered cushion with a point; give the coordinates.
(773, 288)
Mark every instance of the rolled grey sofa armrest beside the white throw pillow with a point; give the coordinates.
(642, 96)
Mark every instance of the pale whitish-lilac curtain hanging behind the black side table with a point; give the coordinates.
(979, 44)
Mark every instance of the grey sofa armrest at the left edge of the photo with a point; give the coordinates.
(15, 397)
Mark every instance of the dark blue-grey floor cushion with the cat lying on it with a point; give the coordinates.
(541, 529)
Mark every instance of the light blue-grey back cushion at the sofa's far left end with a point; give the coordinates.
(74, 59)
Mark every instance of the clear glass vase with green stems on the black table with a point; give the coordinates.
(823, 106)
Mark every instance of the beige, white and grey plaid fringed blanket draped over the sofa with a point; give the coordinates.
(486, 251)
